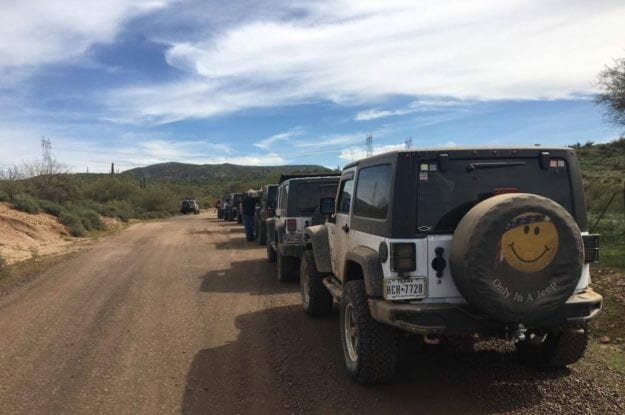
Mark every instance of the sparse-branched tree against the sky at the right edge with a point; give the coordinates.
(612, 84)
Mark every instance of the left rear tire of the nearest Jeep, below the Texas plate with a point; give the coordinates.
(377, 348)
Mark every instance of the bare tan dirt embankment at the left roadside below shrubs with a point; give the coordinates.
(24, 236)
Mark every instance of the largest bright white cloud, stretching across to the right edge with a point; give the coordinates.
(356, 51)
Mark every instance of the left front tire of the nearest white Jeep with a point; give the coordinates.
(316, 299)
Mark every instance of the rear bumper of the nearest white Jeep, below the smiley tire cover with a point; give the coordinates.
(452, 319)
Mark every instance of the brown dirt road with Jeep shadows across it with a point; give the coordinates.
(186, 316)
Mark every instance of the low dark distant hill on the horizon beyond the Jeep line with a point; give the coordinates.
(193, 173)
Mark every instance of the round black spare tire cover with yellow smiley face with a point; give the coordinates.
(517, 257)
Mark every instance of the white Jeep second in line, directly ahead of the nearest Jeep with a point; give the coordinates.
(297, 207)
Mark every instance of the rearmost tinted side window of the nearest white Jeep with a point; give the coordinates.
(373, 191)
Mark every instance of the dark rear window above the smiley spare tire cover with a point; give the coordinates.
(445, 197)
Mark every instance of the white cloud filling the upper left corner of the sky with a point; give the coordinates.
(36, 32)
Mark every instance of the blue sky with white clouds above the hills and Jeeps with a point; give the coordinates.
(138, 82)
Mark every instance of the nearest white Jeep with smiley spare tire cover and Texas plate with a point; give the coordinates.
(449, 243)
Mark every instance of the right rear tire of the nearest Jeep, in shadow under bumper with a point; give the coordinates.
(559, 349)
